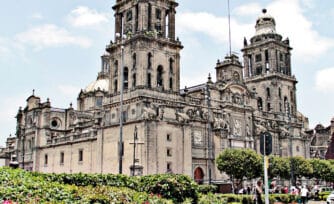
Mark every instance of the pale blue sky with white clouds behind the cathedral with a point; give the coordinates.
(54, 48)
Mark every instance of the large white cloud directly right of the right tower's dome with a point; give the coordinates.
(292, 22)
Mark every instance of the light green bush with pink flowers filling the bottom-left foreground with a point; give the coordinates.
(26, 187)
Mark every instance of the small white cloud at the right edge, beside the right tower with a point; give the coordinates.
(324, 80)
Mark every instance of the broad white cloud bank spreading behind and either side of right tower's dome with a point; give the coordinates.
(291, 22)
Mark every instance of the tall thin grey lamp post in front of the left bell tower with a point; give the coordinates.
(120, 145)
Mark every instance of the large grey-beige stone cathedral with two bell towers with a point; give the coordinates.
(135, 119)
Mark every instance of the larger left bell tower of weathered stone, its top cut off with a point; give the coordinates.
(145, 34)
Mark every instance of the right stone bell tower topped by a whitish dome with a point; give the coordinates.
(267, 68)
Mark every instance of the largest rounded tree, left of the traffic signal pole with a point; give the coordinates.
(240, 164)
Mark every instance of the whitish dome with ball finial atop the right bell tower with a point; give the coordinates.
(265, 24)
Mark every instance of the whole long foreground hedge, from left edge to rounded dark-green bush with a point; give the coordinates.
(28, 187)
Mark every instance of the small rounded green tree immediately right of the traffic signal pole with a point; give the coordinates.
(279, 166)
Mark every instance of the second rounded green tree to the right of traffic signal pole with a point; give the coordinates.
(300, 167)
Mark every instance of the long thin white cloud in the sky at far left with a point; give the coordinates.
(50, 35)
